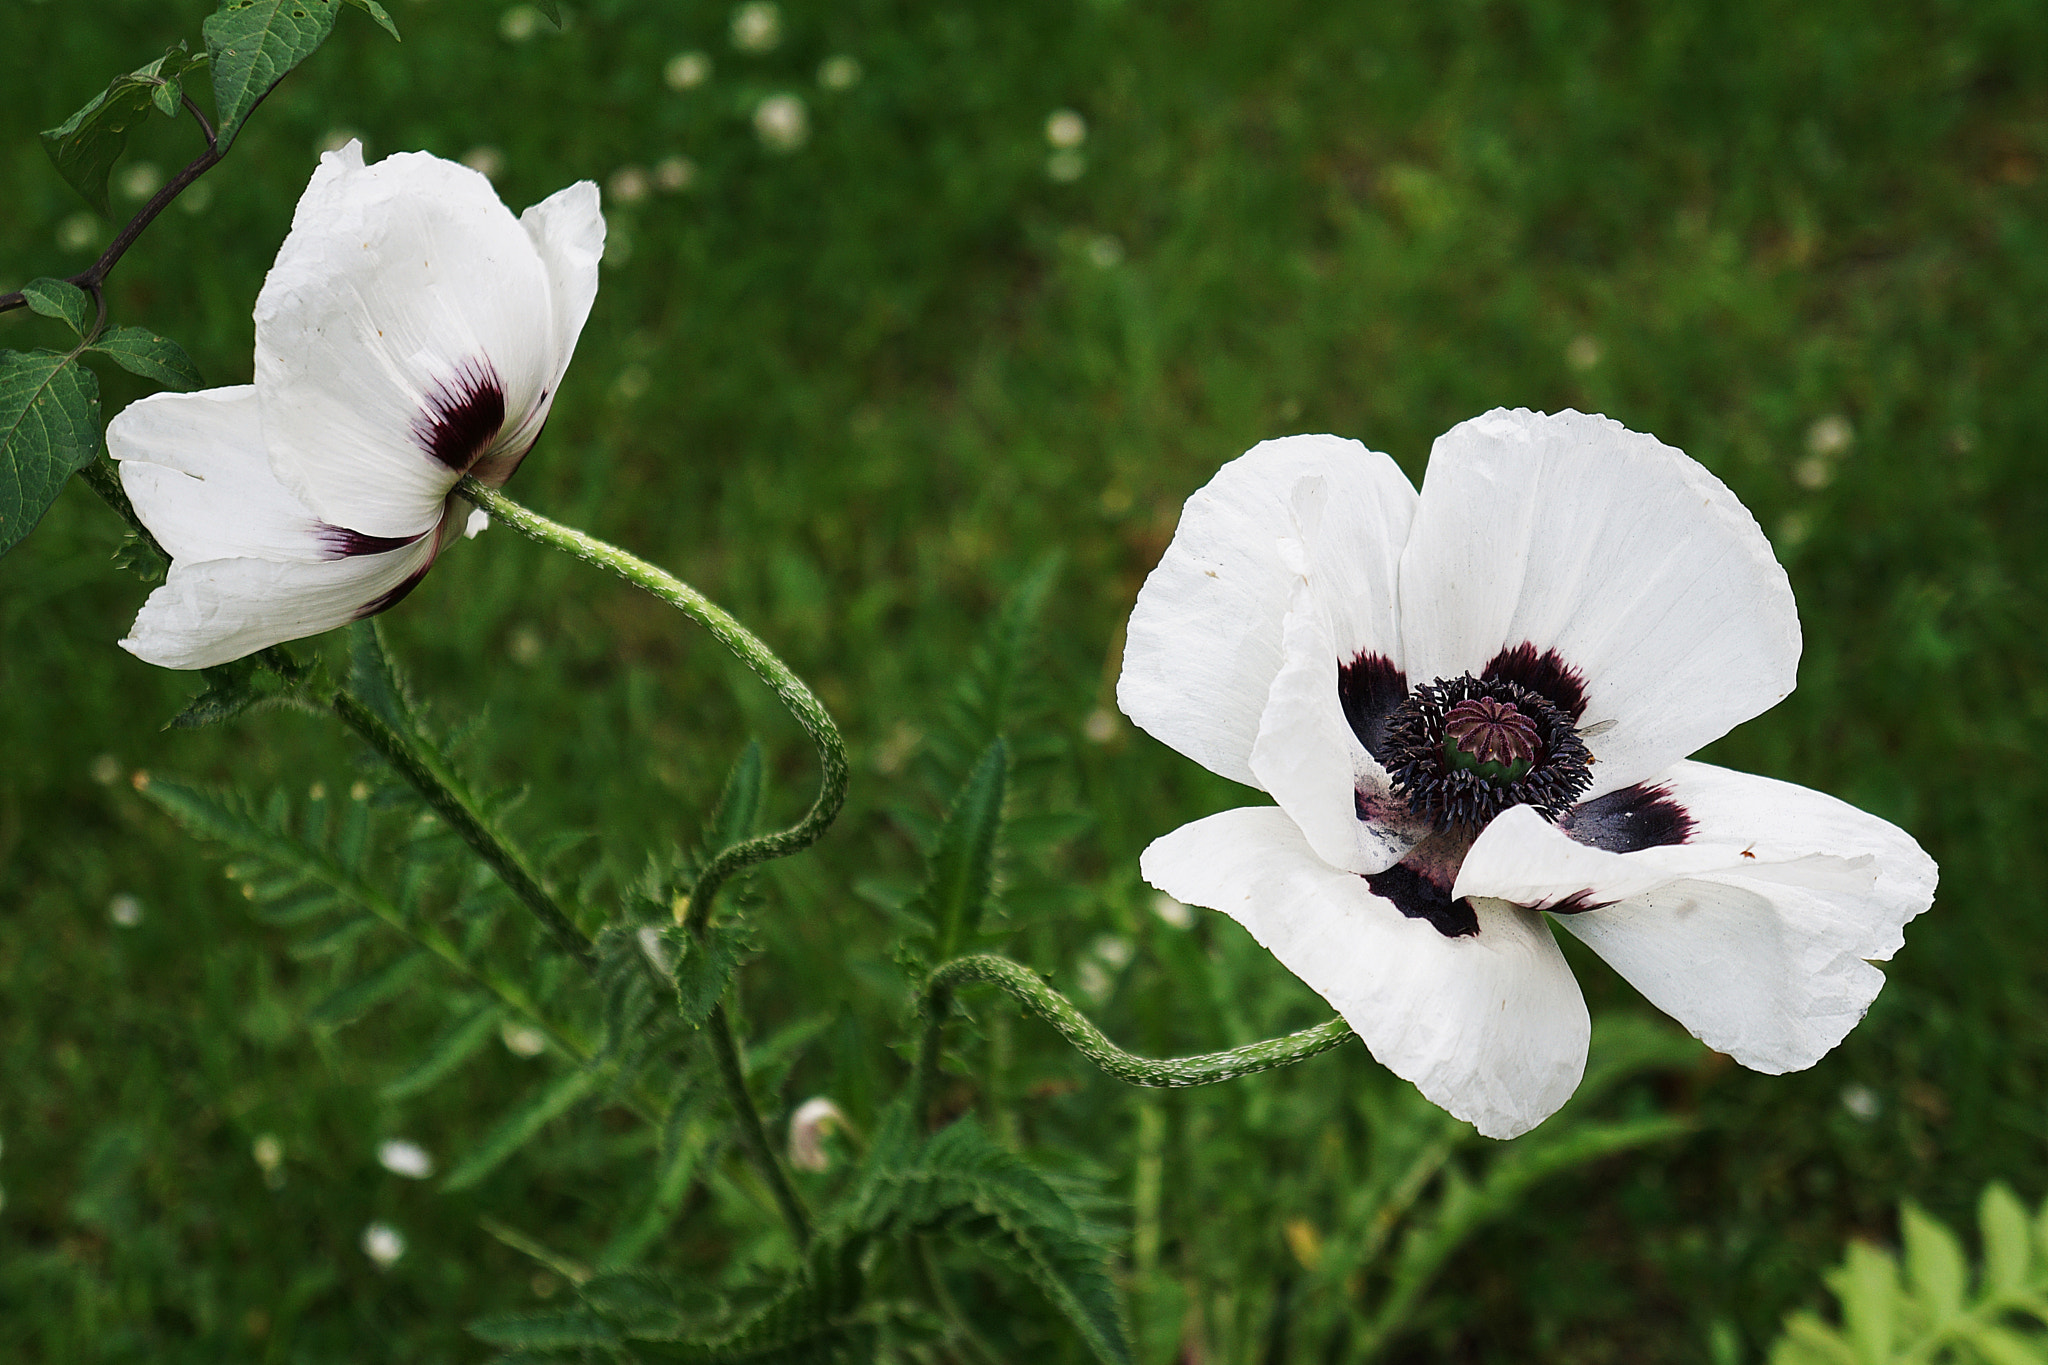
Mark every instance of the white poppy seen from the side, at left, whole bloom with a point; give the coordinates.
(411, 333)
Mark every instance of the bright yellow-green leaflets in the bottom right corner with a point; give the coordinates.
(1930, 1307)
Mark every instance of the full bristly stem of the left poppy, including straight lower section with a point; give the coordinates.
(804, 834)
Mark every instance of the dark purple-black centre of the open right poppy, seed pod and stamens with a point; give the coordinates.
(1463, 750)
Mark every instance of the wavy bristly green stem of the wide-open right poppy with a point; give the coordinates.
(1181, 1071)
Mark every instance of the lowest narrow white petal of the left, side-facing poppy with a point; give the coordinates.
(214, 611)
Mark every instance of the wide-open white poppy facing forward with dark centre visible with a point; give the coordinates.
(1476, 705)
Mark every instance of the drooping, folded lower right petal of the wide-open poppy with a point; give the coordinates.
(1756, 934)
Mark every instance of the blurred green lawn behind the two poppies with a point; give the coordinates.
(857, 390)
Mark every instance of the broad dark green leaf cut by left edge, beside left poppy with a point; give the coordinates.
(50, 429)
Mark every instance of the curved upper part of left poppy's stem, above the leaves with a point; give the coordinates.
(802, 701)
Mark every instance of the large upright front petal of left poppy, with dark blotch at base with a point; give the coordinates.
(400, 288)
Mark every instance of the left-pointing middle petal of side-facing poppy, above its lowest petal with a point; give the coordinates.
(200, 478)
